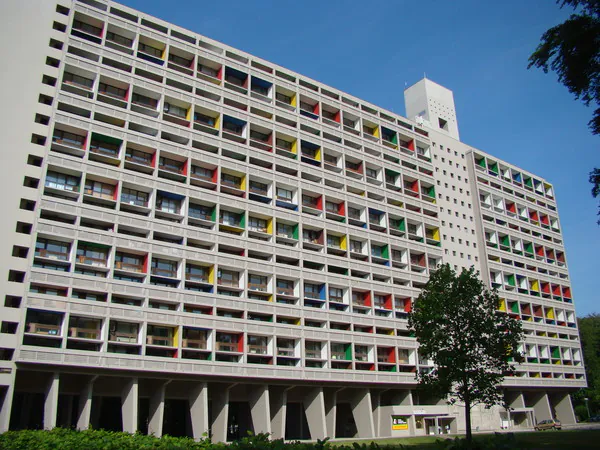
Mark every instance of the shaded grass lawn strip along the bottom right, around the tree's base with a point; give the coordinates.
(537, 440)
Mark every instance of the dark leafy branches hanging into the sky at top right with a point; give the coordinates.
(572, 51)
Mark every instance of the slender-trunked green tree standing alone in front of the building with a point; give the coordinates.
(473, 345)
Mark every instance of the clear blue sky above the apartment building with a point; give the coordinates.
(478, 49)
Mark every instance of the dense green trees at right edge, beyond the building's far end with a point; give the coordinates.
(589, 331)
